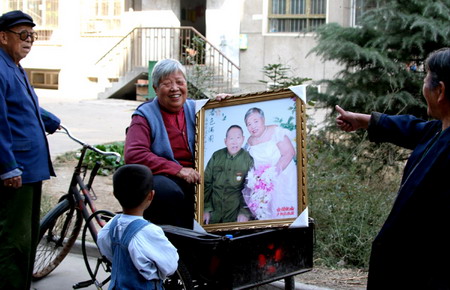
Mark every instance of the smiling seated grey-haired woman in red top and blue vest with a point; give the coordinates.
(162, 136)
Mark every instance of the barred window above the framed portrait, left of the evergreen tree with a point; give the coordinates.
(296, 15)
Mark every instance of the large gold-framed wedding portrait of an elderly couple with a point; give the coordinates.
(251, 153)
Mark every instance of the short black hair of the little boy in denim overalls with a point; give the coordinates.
(132, 183)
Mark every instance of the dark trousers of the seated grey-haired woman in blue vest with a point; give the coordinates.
(173, 203)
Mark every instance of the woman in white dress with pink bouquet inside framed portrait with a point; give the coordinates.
(271, 191)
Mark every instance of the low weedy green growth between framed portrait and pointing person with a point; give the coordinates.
(348, 205)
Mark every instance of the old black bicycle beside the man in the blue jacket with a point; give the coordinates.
(60, 227)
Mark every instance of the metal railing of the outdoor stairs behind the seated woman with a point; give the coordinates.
(207, 67)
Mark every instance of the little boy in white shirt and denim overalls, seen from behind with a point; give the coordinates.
(142, 256)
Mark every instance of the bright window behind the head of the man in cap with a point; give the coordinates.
(43, 12)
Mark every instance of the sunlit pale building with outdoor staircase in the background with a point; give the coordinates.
(99, 48)
